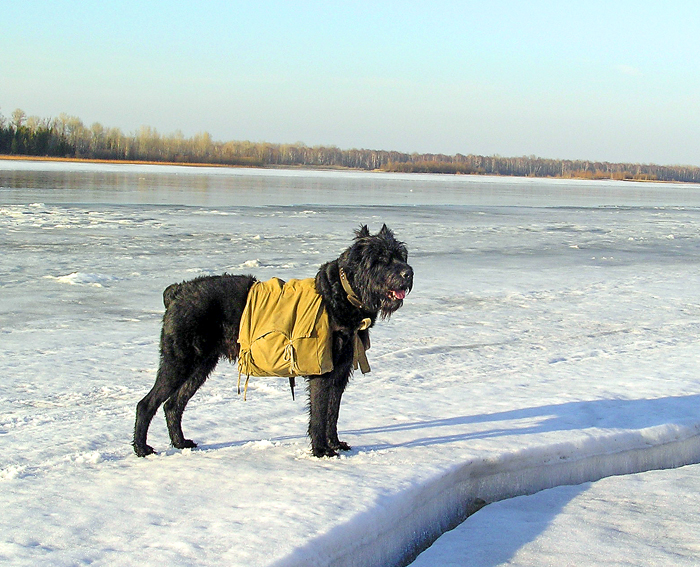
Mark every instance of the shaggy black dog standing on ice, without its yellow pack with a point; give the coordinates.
(201, 325)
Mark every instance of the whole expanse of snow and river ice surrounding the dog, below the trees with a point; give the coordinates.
(552, 338)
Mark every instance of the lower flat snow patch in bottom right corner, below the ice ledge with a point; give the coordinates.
(647, 519)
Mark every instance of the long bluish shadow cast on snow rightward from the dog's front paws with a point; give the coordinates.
(569, 416)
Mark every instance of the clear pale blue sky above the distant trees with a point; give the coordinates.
(609, 80)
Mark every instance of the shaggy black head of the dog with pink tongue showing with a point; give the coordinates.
(377, 269)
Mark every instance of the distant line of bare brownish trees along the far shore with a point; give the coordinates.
(67, 136)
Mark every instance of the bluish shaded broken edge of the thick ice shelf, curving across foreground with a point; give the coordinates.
(403, 525)
